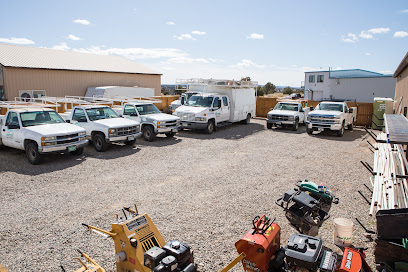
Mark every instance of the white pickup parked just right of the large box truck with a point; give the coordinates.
(287, 114)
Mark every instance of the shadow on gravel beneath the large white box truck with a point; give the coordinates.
(231, 132)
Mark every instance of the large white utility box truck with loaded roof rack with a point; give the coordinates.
(218, 103)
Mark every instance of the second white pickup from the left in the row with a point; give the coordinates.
(103, 125)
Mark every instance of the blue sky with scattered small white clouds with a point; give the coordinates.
(274, 41)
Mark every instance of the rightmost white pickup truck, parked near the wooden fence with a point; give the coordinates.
(334, 116)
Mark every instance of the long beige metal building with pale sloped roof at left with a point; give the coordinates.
(62, 73)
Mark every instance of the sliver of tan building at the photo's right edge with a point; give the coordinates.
(401, 89)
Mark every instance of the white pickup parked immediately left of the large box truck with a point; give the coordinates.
(151, 119)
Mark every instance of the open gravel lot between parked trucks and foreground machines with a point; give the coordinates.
(200, 189)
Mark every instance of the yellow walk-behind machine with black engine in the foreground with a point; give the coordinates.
(139, 246)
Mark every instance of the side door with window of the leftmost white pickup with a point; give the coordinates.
(11, 131)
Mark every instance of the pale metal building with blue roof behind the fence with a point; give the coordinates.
(354, 84)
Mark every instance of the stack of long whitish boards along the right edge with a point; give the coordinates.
(390, 186)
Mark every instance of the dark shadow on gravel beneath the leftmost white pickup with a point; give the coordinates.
(14, 160)
